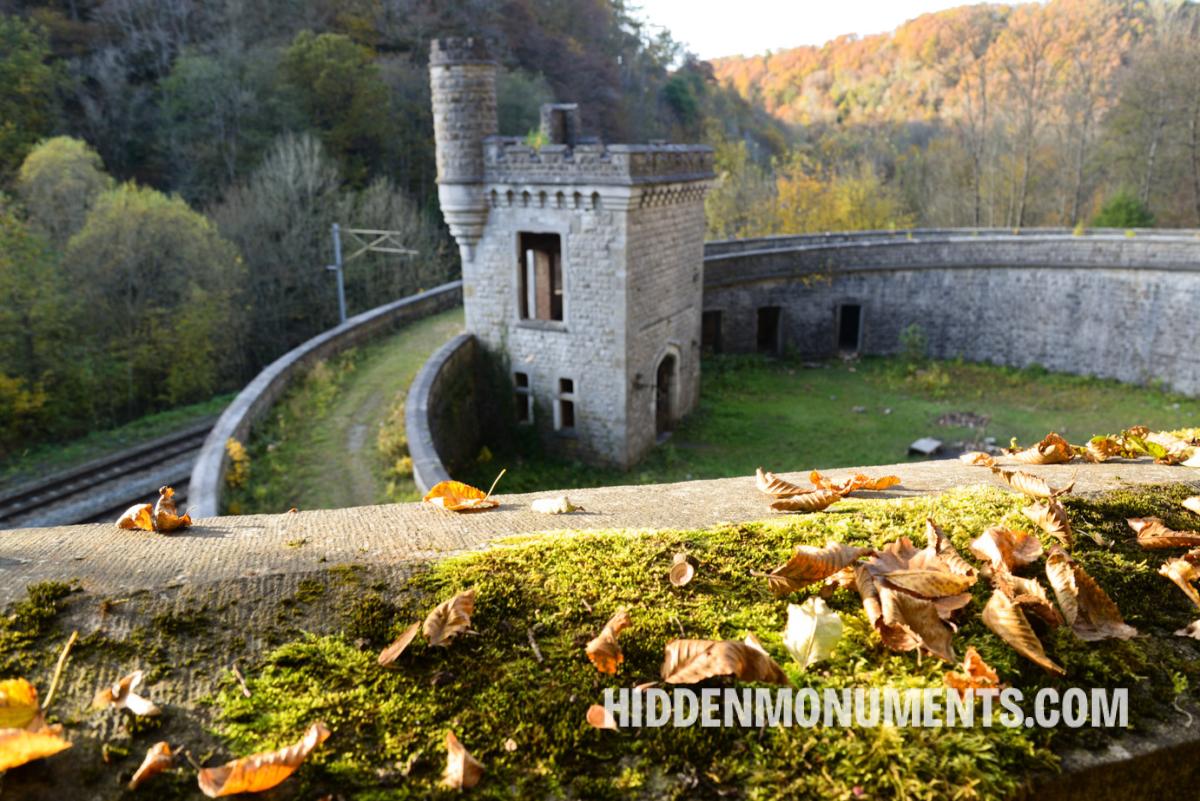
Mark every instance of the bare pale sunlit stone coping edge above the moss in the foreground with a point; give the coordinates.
(110, 561)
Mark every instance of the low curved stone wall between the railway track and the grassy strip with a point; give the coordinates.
(256, 400)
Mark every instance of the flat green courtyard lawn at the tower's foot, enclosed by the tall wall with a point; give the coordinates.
(784, 415)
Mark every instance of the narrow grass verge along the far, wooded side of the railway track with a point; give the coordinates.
(53, 457)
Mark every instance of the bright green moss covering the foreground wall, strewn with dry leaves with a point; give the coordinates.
(389, 725)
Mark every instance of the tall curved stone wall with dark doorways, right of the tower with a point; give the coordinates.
(1106, 304)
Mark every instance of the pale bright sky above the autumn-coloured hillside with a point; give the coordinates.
(716, 28)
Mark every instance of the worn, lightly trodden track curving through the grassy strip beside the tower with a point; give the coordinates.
(344, 465)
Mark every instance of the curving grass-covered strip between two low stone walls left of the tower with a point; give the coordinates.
(322, 447)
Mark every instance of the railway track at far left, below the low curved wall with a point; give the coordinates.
(101, 490)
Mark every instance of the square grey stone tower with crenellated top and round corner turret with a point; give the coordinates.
(581, 262)
